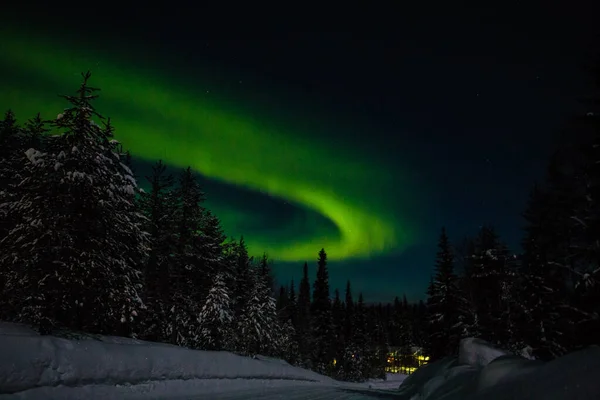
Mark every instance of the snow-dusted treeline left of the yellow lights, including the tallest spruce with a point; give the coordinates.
(84, 250)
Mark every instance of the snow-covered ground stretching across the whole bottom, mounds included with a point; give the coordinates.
(93, 367)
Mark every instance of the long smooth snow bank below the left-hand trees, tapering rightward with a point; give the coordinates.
(29, 361)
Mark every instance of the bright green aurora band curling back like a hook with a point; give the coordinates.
(156, 119)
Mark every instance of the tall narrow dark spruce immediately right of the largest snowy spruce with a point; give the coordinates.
(157, 205)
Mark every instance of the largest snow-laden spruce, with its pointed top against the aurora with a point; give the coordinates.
(75, 253)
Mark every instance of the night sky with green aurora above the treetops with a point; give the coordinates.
(365, 140)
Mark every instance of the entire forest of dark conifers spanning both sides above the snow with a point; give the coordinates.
(84, 249)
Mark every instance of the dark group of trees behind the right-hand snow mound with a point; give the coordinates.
(546, 300)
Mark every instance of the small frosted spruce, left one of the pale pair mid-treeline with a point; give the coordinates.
(216, 317)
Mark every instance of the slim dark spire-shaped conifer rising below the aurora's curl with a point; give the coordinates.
(321, 317)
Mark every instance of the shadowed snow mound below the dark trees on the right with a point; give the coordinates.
(482, 372)
